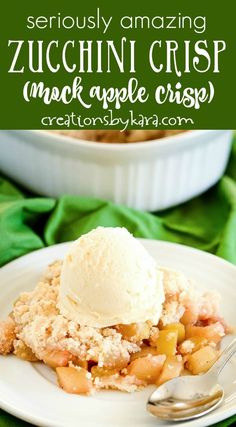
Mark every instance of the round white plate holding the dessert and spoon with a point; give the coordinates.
(29, 390)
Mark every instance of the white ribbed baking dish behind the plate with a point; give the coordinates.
(148, 175)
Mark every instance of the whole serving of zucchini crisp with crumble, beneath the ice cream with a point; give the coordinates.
(125, 357)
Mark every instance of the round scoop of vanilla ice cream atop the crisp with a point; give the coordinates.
(108, 278)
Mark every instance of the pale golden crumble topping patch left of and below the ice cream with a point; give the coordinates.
(41, 327)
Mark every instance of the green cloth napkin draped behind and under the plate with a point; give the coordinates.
(27, 223)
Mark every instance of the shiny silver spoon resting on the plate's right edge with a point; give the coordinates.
(190, 396)
